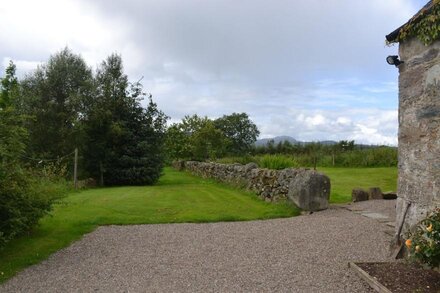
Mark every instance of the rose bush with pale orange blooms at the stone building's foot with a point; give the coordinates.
(424, 241)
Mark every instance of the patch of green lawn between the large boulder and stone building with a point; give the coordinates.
(344, 180)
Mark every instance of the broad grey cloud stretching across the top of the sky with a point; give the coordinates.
(261, 41)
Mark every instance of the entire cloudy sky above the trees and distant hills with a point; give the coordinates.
(310, 69)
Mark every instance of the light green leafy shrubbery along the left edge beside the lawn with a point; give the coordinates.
(24, 195)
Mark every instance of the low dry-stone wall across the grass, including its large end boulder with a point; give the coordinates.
(308, 189)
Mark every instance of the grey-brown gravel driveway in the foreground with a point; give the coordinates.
(301, 254)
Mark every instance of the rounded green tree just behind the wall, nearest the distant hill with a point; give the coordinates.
(240, 130)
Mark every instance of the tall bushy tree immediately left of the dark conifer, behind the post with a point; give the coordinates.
(56, 96)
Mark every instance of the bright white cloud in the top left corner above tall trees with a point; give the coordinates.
(32, 30)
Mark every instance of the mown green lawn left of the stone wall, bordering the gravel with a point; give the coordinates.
(178, 197)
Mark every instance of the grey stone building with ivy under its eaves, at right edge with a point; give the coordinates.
(419, 114)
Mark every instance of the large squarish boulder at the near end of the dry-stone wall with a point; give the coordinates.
(310, 190)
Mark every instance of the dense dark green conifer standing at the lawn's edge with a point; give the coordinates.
(124, 139)
